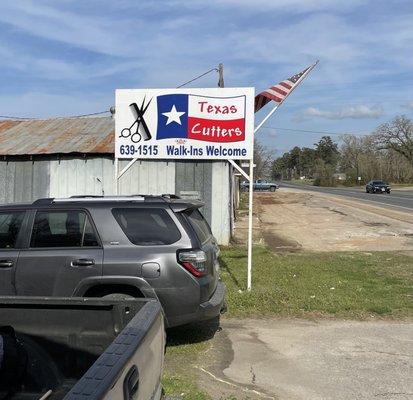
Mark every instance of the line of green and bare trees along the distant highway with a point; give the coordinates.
(386, 153)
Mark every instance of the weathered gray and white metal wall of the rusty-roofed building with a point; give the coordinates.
(24, 180)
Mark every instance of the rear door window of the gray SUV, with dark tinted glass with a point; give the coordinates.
(70, 228)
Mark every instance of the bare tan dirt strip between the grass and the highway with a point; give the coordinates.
(293, 220)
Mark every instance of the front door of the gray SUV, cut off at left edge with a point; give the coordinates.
(11, 223)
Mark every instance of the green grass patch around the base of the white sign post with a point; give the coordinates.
(350, 285)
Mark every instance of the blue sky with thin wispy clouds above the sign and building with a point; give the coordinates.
(67, 57)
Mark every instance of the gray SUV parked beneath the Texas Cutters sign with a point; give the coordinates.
(140, 246)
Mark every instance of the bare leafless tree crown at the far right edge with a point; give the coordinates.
(396, 135)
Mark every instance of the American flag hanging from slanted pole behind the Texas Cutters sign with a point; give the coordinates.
(279, 92)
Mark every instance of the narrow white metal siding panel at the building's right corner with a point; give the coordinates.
(221, 209)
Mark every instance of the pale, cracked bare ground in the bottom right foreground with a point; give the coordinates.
(293, 359)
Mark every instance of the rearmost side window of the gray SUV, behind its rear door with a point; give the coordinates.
(147, 227)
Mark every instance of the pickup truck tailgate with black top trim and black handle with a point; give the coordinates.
(131, 366)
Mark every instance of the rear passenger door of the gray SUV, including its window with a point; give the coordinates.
(63, 249)
